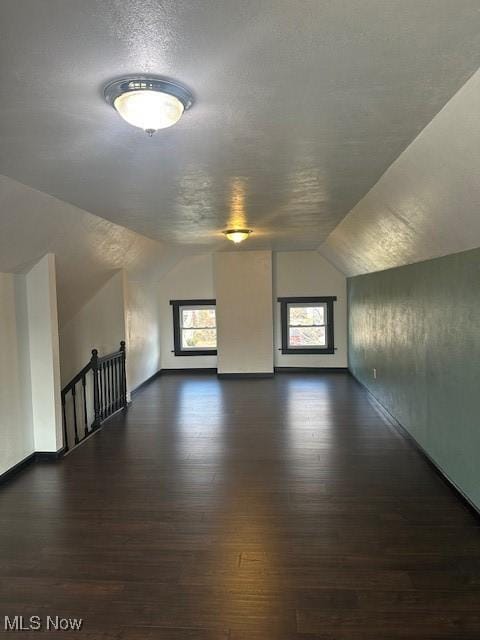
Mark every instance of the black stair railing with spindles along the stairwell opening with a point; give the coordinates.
(97, 392)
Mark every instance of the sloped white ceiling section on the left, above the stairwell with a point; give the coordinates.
(88, 249)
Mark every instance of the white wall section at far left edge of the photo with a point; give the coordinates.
(16, 426)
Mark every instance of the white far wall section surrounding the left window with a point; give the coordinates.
(192, 278)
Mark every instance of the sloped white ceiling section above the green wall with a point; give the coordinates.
(428, 202)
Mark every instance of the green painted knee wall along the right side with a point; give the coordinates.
(419, 326)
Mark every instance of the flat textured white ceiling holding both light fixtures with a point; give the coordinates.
(300, 106)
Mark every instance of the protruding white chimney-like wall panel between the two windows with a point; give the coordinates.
(243, 290)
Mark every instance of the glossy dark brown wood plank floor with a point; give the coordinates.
(242, 510)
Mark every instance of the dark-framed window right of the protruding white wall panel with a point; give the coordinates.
(307, 325)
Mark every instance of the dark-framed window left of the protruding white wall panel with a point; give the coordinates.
(194, 327)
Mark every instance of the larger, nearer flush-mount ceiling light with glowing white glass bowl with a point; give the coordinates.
(147, 102)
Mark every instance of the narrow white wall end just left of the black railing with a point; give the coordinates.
(44, 355)
